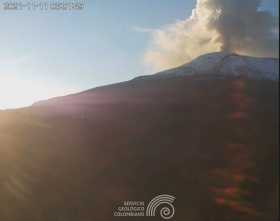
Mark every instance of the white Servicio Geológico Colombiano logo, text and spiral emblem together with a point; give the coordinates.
(161, 205)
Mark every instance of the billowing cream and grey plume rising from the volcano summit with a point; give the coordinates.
(237, 26)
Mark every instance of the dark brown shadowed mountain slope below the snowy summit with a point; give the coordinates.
(210, 141)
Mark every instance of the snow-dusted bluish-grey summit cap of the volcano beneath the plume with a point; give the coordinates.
(228, 65)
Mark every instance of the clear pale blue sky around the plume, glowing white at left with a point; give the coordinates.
(49, 53)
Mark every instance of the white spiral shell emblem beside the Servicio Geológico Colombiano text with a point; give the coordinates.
(166, 201)
